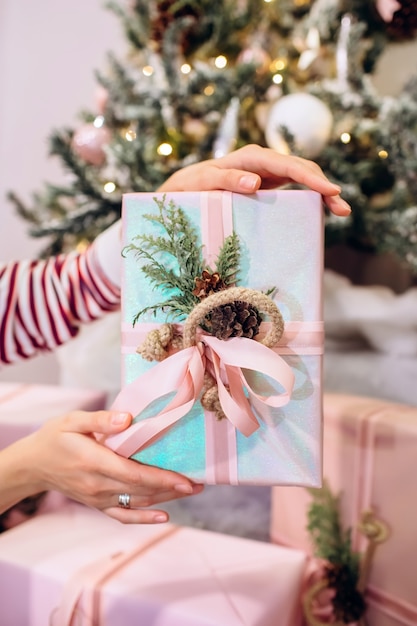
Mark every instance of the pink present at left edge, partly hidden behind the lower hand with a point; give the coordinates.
(23, 409)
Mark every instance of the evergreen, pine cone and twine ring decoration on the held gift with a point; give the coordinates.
(207, 299)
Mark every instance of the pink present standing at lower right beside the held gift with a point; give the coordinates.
(370, 458)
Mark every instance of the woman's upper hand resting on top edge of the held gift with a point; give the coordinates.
(251, 168)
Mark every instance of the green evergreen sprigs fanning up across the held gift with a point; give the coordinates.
(173, 260)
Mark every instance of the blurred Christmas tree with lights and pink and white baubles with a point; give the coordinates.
(201, 78)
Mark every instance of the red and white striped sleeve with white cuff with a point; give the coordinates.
(43, 302)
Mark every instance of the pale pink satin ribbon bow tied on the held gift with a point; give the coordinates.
(183, 372)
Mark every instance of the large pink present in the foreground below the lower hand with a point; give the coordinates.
(78, 567)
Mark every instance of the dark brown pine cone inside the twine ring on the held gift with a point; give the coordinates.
(237, 319)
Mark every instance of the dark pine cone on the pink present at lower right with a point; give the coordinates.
(348, 603)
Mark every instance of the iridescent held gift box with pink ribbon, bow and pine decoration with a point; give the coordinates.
(264, 424)
